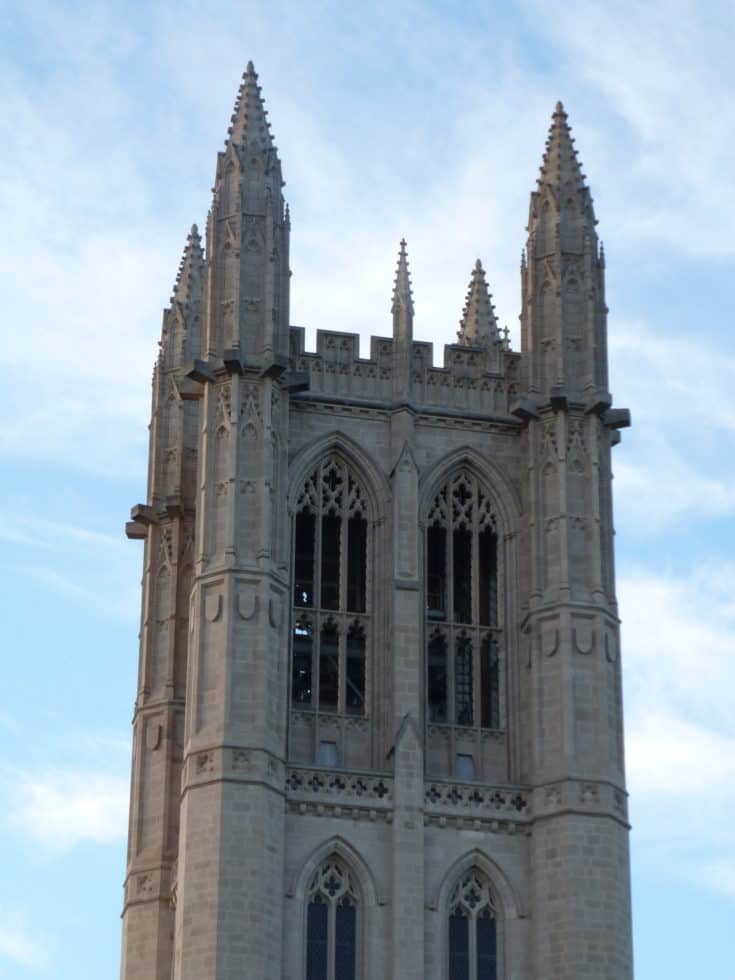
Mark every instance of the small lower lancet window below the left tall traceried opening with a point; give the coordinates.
(331, 924)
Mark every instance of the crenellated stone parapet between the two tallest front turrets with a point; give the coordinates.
(475, 380)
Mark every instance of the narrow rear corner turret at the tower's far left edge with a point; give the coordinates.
(166, 523)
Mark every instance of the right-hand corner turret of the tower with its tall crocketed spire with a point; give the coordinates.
(573, 711)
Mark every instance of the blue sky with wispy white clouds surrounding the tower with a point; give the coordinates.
(420, 119)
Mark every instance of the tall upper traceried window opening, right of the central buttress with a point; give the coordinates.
(463, 627)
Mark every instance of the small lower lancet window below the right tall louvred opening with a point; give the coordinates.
(473, 934)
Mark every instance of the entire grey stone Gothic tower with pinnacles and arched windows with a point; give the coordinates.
(378, 727)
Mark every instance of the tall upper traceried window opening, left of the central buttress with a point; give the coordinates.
(331, 625)
